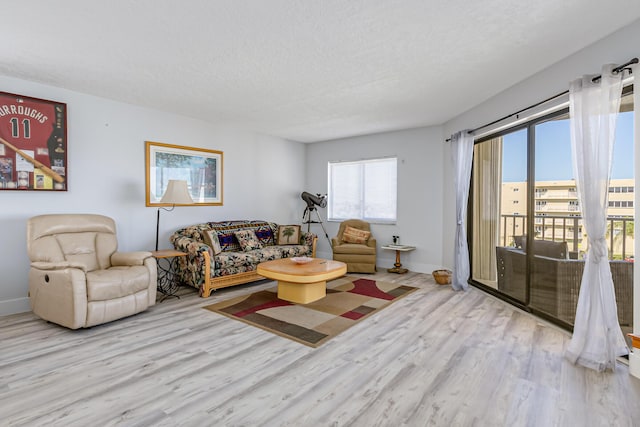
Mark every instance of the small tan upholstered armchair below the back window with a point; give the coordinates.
(359, 257)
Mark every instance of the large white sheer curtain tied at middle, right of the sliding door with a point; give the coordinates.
(597, 338)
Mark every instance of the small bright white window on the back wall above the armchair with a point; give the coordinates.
(365, 189)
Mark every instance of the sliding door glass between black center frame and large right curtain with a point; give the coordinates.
(556, 272)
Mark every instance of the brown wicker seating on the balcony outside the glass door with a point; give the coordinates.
(555, 282)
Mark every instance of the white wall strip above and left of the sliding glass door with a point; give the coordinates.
(617, 48)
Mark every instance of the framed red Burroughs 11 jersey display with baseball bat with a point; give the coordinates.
(33, 144)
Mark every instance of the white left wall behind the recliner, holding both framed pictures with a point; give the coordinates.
(263, 177)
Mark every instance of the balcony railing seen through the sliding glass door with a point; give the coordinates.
(568, 229)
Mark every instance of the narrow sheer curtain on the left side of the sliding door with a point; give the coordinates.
(461, 156)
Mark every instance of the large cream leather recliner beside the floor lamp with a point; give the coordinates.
(77, 279)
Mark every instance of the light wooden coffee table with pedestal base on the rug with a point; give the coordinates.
(302, 283)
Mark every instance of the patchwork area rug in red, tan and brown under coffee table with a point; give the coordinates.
(349, 300)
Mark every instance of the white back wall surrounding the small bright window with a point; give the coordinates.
(420, 190)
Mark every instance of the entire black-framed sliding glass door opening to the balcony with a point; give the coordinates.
(527, 236)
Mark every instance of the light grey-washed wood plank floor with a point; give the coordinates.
(435, 357)
